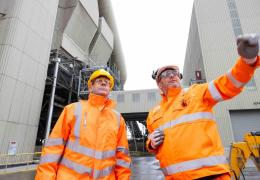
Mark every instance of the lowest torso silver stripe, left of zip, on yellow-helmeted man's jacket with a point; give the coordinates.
(75, 166)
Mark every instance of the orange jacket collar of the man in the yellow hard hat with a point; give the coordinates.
(100, 101)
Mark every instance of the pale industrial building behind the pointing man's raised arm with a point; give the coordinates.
(211, 52)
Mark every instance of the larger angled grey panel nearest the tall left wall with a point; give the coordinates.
(80, 30)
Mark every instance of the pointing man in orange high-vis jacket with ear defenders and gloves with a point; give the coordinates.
(182, 129)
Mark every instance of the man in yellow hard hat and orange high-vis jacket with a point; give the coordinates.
(89, 140)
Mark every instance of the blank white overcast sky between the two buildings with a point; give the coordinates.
(153, 33)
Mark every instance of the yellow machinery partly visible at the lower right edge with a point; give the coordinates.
(240, 152)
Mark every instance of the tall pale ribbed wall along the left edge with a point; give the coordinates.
(25, 42)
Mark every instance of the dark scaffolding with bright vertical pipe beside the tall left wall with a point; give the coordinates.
(61, 88)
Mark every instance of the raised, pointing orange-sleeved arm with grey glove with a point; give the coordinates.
(232, 83)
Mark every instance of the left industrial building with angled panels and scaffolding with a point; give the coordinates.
(47, 41)
